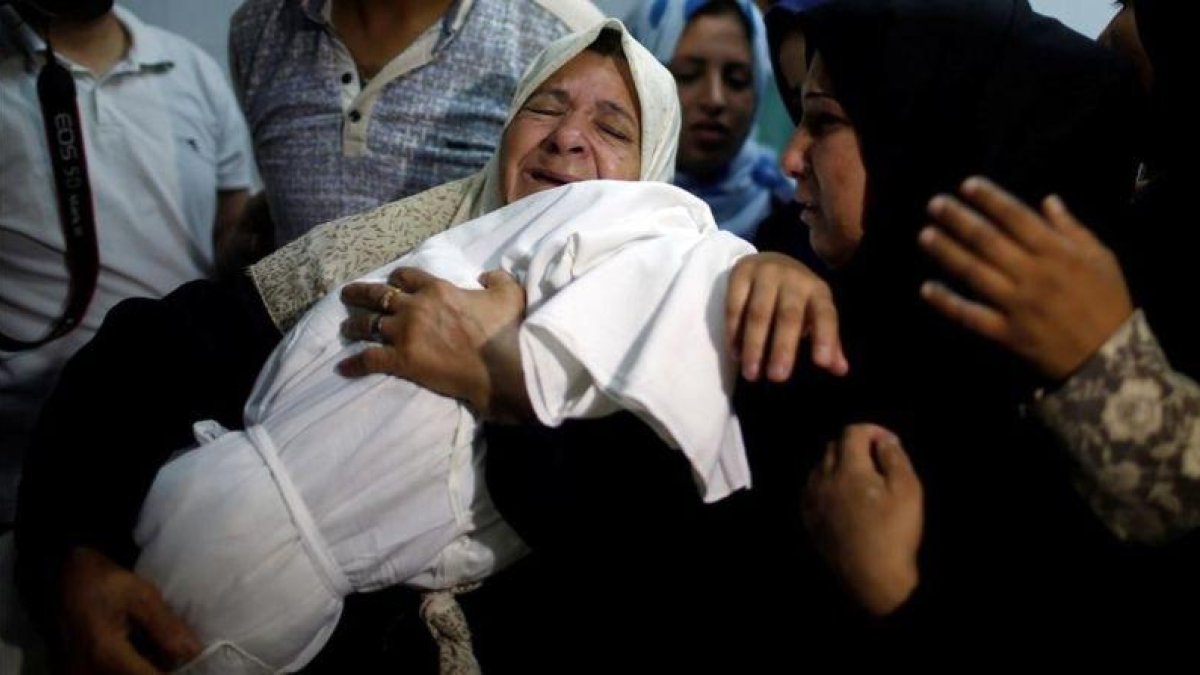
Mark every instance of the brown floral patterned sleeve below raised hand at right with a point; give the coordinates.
(1133, 425)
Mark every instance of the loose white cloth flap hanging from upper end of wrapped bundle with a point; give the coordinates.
(631, 314)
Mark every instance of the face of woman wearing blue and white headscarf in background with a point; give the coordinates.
(715, 73)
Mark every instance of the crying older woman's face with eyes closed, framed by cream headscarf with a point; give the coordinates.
(581, 124)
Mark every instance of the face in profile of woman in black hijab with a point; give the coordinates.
(825, 159)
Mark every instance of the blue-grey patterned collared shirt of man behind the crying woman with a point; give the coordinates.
(329, 145)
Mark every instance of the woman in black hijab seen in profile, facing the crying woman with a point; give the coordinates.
(935, 92)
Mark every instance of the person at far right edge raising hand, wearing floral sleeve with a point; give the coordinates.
(1130, 416)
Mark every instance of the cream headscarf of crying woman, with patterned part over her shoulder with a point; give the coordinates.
(299, 274)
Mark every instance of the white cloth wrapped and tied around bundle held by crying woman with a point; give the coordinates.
(356, 485)
